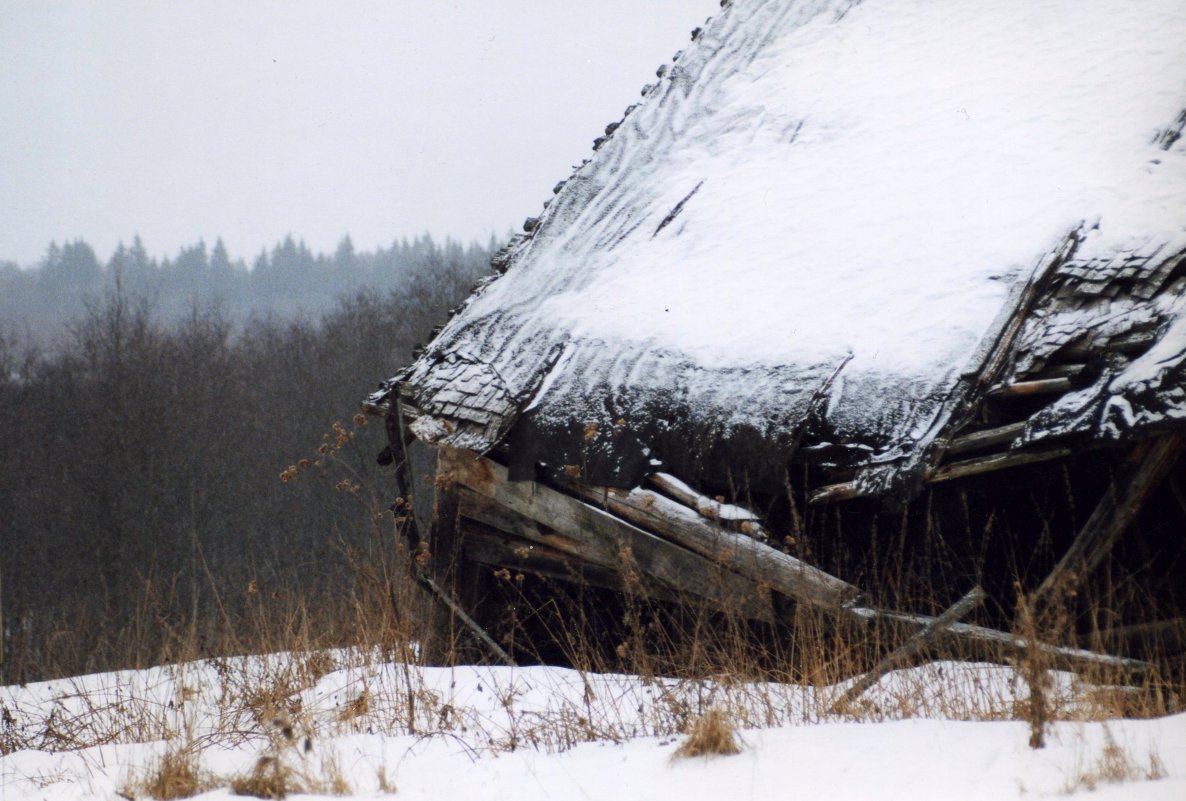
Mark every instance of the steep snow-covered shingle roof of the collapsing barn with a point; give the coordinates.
(827, 228)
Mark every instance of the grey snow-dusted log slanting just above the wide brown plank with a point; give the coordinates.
(739, 554)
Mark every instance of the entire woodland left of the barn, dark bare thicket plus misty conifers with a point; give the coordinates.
(141, 472)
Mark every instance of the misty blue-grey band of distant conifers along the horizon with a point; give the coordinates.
(40, 304)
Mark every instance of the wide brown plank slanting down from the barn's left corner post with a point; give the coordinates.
(636, 552)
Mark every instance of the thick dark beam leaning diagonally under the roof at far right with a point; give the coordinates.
(1120, 505)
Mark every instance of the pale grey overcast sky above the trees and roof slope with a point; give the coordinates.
(181, 122)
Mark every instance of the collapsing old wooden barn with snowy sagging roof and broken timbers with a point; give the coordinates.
(840, 255)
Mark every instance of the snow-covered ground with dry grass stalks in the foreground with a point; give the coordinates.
(361, 727)
